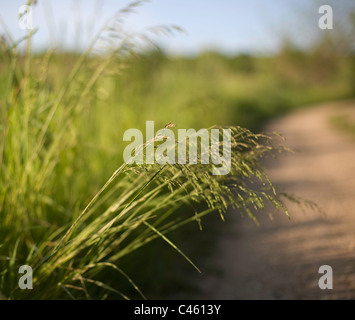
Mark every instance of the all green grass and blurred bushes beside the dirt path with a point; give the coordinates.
(84, 220)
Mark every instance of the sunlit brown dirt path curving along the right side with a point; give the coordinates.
(280, 259)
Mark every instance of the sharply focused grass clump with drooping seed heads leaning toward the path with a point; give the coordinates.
(137, 205)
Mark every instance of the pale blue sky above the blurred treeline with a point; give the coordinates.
(227, 25)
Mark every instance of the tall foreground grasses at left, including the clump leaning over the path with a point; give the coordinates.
(45, 180)
